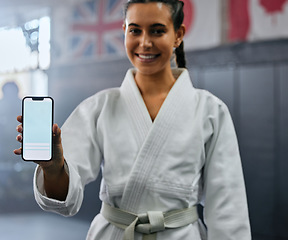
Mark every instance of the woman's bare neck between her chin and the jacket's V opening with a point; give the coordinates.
(155, 84)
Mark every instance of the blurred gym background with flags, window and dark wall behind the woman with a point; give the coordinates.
(71, 49)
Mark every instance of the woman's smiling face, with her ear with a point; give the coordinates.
(150, 37)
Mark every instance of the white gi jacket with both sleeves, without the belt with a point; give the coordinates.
(188, 155)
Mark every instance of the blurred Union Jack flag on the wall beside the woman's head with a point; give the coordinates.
(96, 29)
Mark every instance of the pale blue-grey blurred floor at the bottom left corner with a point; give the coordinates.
(41, 226)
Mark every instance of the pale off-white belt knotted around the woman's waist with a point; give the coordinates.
(148, 223)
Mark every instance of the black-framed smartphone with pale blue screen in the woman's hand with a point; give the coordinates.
(37, 116)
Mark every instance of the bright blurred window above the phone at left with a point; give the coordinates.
(25, 57)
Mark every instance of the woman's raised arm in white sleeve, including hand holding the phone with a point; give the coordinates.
(61, 190)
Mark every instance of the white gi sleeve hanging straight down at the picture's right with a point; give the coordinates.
(225, 211)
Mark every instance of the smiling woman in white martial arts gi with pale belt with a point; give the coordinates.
(163, 146)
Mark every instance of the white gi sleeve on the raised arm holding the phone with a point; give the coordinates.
(82, 159)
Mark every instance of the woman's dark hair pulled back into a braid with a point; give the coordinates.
(177, 15)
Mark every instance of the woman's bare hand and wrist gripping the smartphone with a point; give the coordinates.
(56, 179)
